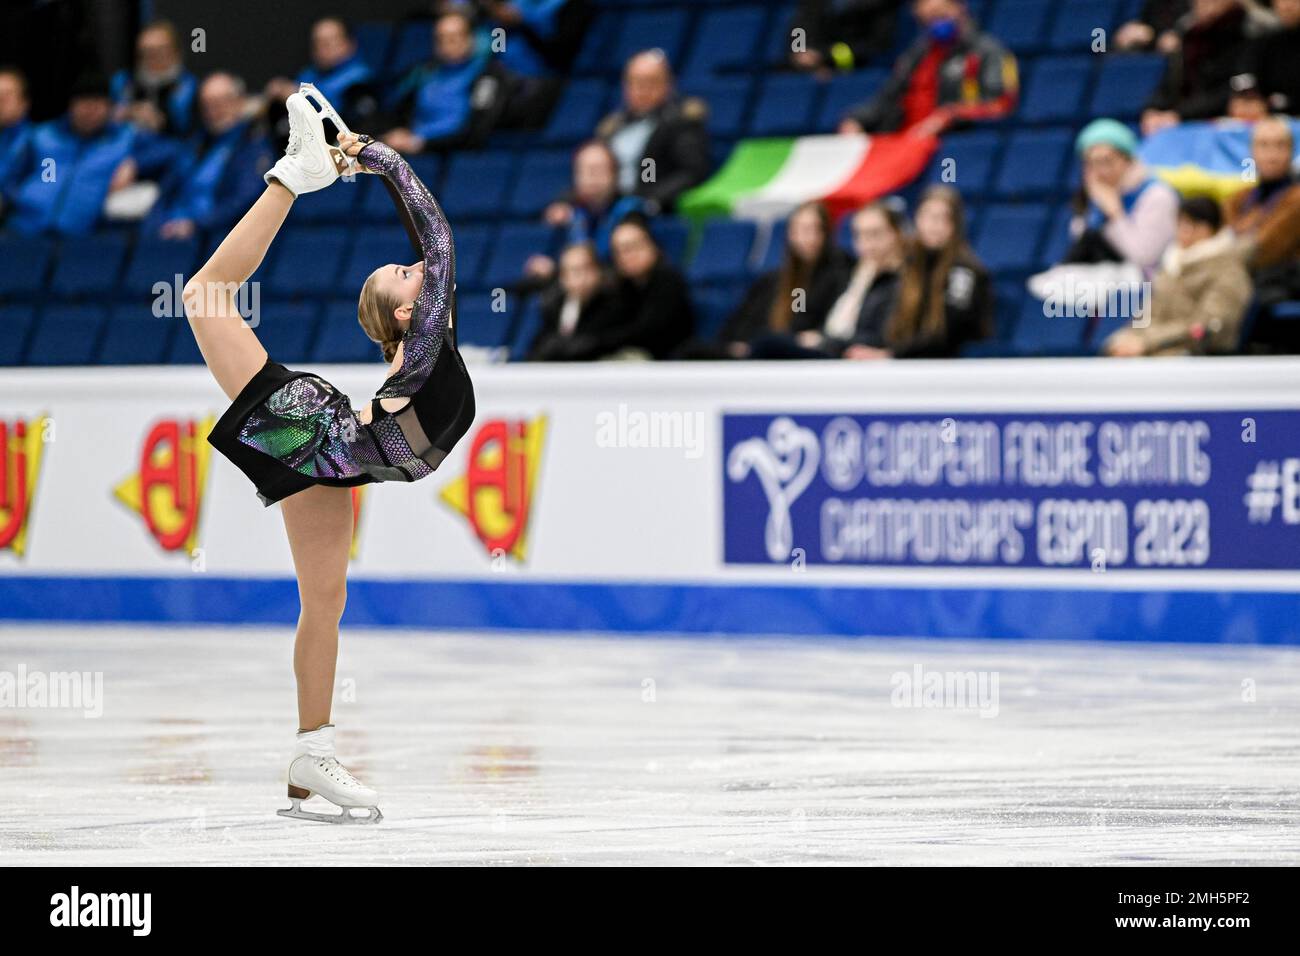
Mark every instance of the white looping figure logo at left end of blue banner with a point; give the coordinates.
(785, 464)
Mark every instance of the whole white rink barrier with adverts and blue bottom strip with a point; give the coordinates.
(1048, 500)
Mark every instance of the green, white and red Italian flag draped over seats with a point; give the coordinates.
(768, 179)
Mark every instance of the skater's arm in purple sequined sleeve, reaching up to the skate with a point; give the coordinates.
(432, 313)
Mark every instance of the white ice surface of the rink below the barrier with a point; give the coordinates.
(528, 750)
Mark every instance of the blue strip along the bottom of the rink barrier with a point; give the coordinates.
(735, 611)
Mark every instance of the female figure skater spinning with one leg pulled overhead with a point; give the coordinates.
(298, 438)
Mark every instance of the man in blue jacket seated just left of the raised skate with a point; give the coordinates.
(222, 174)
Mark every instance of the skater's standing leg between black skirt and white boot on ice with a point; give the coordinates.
(319, 522)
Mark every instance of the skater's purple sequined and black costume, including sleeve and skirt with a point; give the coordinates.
(288, 430)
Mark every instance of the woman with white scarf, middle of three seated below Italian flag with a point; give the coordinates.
(859, 317)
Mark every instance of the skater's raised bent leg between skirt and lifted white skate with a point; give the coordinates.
(228, 344)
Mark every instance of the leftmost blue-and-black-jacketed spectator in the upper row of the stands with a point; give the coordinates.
(159, 94)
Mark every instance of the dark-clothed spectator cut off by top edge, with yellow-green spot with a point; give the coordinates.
(840, 34)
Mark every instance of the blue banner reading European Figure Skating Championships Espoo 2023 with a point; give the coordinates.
(1142, 491)
